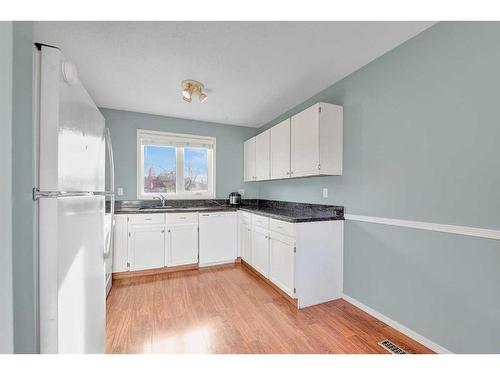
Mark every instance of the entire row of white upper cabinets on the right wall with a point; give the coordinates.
(307, 144)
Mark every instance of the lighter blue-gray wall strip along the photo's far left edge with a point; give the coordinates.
(6, 294)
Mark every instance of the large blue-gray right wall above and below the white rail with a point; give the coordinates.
(421, 142)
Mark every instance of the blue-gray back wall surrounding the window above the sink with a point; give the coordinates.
(229, 155)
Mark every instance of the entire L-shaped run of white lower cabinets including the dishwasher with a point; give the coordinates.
(304, 260)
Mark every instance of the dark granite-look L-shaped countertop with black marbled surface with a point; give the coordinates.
(287, 211)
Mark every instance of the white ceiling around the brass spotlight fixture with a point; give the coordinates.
(253, 71)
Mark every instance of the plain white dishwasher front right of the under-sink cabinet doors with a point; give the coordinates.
(218, 238)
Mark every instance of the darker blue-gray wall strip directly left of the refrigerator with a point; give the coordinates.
(25, 261)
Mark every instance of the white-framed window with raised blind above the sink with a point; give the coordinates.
(180, 166)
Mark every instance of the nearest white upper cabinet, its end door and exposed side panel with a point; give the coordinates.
(316, 141)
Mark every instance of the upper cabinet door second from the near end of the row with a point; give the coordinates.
(280, 150)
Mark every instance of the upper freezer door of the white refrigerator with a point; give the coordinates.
(71, 129)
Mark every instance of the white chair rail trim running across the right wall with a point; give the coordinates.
(455, 229)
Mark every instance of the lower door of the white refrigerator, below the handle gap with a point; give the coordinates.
(72, 293)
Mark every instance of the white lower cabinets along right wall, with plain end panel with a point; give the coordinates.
(304, 260)
